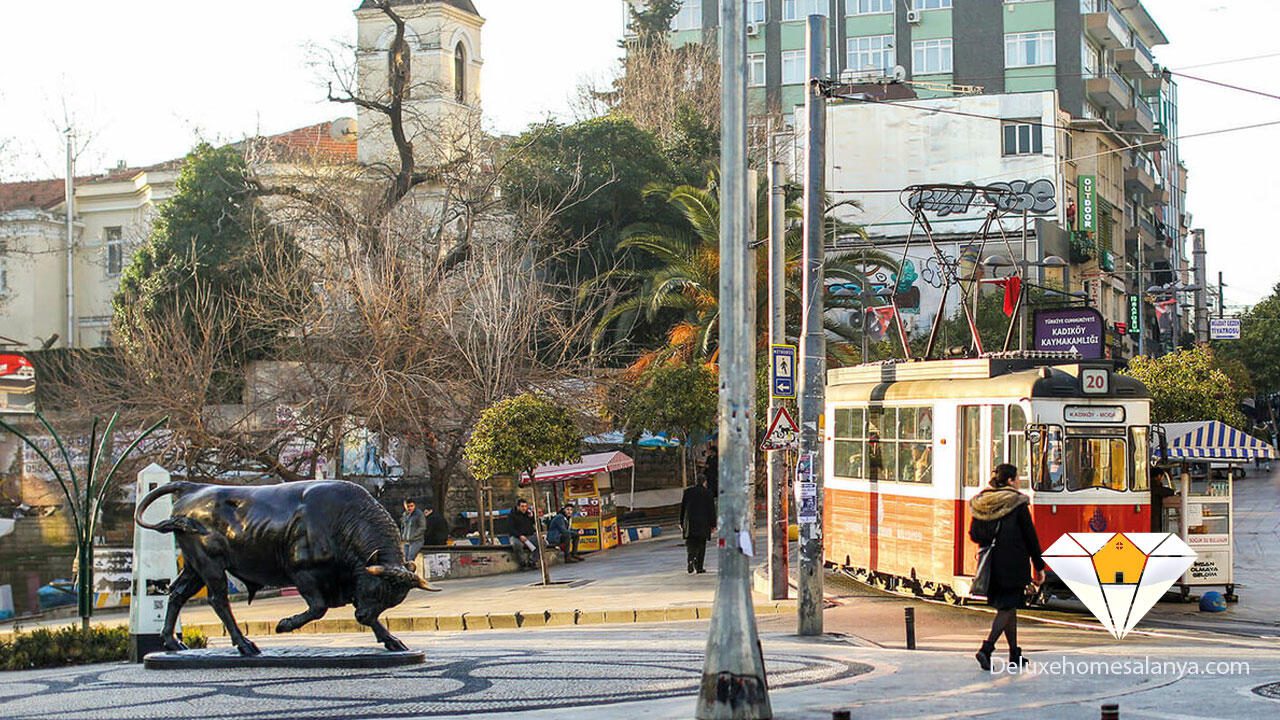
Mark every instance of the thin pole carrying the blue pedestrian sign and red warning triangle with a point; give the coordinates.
(778, 480)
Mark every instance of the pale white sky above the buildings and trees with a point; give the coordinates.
(148, 79)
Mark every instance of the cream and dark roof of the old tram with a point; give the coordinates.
(979, 377)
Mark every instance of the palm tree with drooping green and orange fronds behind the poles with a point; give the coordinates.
(682, 282)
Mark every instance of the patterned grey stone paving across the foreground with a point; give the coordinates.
(653, 672)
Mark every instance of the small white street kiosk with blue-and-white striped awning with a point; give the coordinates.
(1201, 459)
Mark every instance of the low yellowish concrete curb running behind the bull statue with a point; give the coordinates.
(502, 621)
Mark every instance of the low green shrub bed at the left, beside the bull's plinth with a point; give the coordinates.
(72, 646)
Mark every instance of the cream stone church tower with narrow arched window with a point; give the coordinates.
(445, 76)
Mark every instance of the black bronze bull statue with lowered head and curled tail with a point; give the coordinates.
(328, 539)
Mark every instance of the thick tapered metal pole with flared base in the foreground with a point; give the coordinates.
(734, 682)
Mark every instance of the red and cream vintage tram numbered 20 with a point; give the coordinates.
(909, 444)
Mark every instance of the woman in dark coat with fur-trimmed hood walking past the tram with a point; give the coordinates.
(1003, 523)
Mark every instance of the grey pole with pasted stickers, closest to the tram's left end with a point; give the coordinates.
(813, 344)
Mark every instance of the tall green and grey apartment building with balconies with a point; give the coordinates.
(1096, 56)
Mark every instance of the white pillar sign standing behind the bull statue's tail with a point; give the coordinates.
(156, 566)
